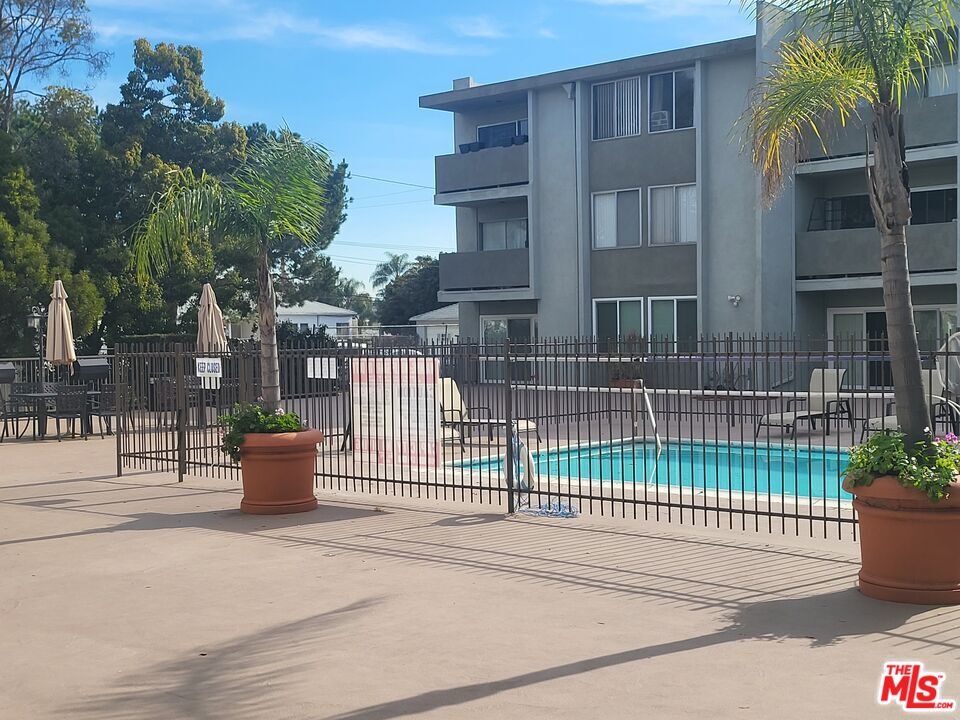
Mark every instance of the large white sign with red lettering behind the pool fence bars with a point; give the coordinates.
(396, 409)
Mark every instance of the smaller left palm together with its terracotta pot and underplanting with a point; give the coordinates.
(276, 196)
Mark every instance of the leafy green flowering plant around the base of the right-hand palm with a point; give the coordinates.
(930, 467)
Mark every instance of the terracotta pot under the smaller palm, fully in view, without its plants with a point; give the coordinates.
(278, 472)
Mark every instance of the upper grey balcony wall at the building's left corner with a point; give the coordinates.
(485, 169)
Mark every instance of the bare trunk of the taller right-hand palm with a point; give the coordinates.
(890, 200)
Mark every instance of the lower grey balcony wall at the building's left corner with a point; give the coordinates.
(484, 272)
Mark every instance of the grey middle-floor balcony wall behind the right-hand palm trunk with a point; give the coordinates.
(837, 253)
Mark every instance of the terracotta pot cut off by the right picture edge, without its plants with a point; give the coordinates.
(909, 545)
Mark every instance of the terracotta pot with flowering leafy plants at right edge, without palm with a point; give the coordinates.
(908, 503)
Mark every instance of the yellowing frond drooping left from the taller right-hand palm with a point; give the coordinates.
(810, 86)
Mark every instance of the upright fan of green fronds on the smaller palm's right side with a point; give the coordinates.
(280, 188)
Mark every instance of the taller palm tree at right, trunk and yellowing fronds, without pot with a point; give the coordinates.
(840, 56)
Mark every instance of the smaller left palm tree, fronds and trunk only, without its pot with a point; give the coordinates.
(277, 193)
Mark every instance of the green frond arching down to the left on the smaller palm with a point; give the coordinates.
(191, 204)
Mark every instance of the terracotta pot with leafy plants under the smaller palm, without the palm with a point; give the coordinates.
(277, 456)
